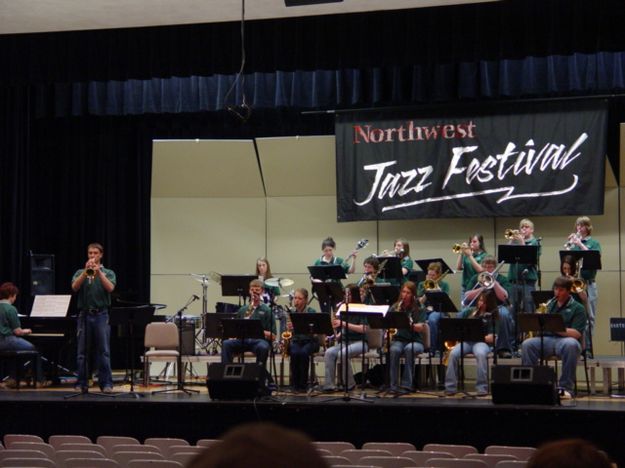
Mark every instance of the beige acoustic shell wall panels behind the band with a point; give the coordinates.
(225, 232)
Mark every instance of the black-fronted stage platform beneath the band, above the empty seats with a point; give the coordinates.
(416, 418)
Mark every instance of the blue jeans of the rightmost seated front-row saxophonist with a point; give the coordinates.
(566, 348)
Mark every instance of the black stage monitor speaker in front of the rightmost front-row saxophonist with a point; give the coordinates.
(524, 385)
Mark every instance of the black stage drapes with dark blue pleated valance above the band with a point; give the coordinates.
(78, 110)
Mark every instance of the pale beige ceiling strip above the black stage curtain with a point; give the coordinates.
(26, 16)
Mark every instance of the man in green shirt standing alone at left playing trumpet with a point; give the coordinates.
(94, 285)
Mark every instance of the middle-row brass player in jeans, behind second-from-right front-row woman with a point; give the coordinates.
(505, 322)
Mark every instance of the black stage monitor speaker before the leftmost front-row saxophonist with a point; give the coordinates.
(244, 381)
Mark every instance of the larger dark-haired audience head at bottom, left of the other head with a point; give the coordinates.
(260, 444)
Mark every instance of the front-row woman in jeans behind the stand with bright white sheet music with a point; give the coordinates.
(353, 331)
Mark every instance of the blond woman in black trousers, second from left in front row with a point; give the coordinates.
(301, 346)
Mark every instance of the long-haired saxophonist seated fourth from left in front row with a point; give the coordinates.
(407, 343)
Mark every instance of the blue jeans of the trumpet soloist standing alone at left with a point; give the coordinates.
(94, 332)
